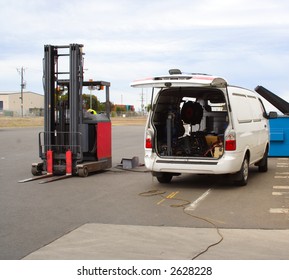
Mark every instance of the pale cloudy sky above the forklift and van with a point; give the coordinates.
(244, 41)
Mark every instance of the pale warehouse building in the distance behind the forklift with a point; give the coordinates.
(11, 105)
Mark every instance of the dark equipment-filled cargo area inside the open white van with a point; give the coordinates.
(190, 122)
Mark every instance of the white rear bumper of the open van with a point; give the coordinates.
(226, 164)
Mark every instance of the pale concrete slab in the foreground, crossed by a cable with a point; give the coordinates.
(108, 242)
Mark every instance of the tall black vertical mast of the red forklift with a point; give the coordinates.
(54, 111)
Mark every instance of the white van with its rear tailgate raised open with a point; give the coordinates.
(200, 124)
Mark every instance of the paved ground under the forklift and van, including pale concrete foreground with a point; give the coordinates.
(104, 216)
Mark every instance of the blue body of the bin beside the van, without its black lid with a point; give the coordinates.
(279, 137)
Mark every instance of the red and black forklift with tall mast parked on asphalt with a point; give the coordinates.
(74, 141)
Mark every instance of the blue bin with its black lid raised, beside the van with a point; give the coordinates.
(279, 126)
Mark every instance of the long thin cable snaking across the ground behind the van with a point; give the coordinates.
(183, 205)
